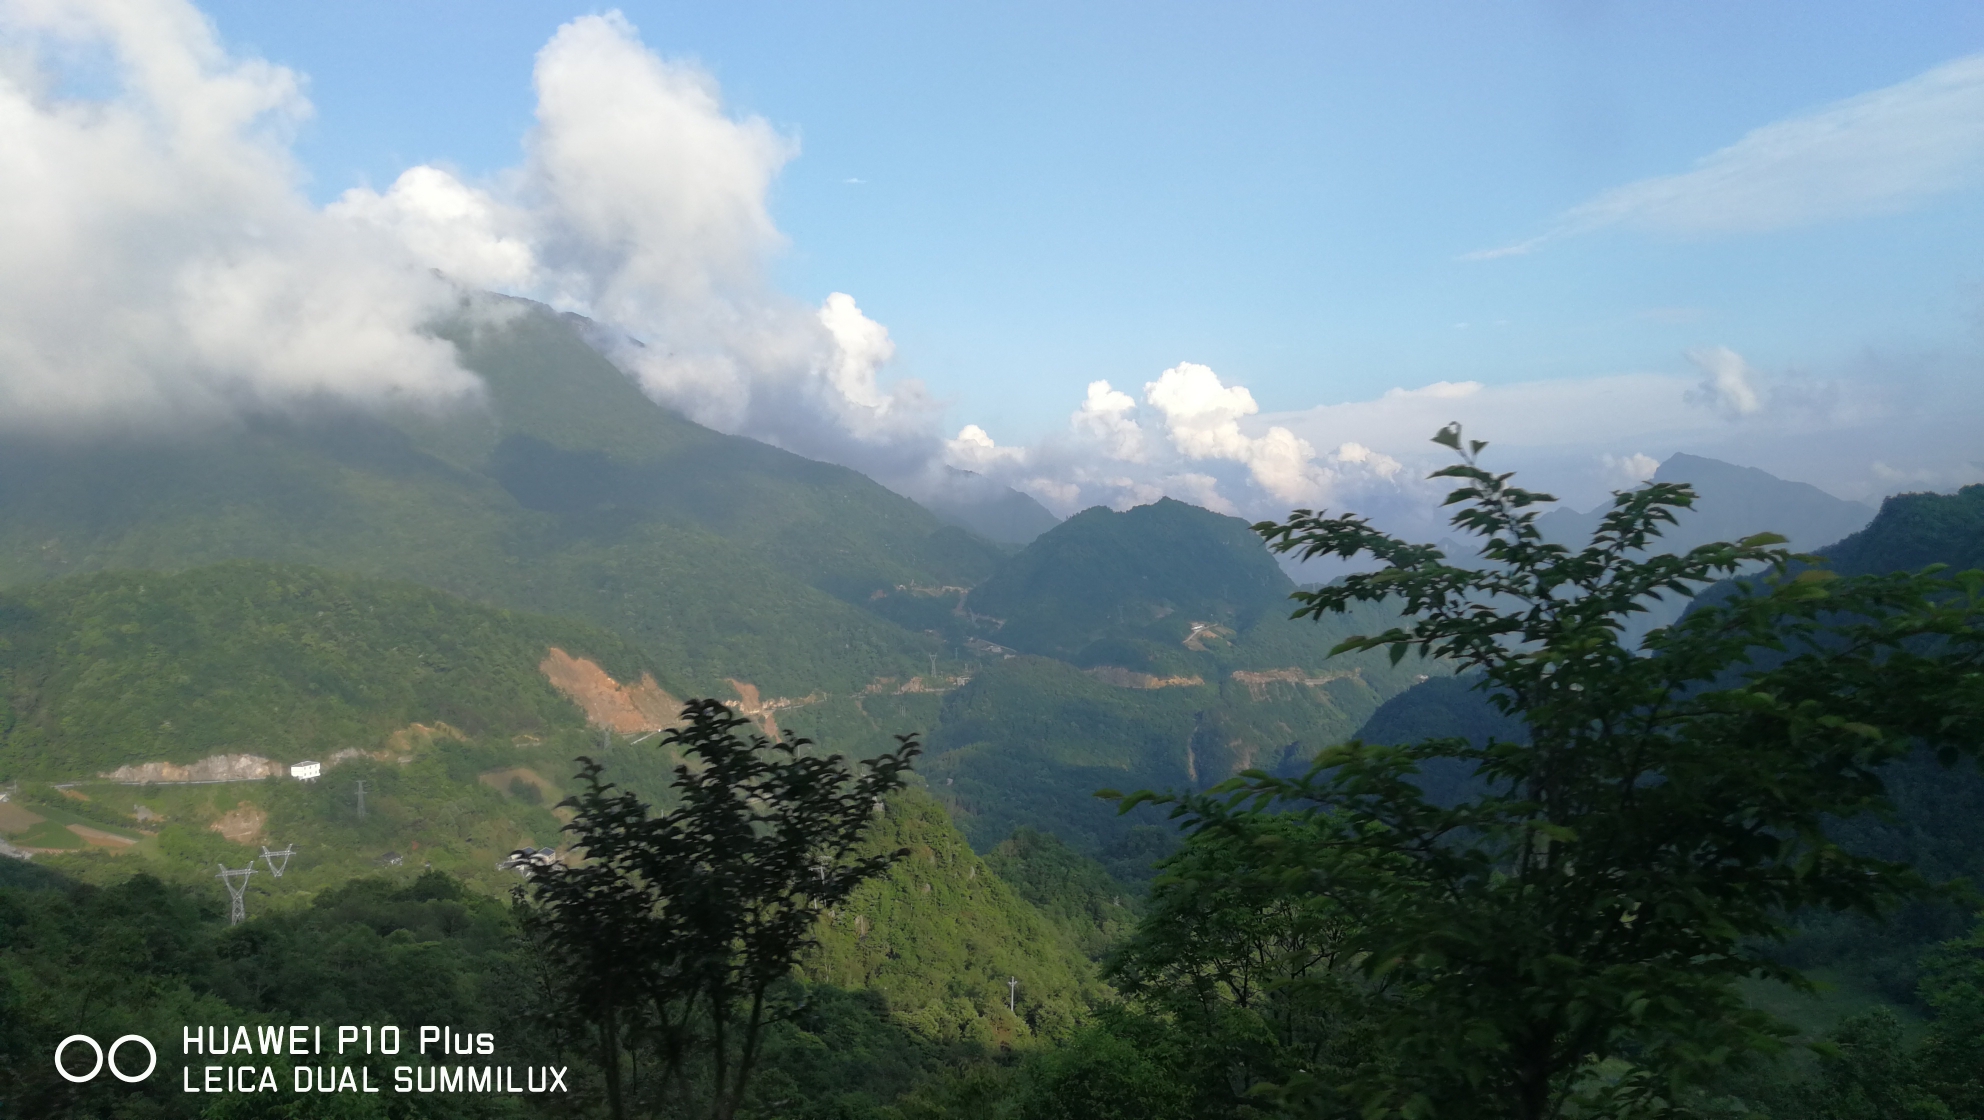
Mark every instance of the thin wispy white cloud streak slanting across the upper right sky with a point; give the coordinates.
(1876, 154)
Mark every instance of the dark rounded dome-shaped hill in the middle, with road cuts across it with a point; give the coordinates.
(1140, 649)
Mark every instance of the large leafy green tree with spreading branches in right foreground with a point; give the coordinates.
(1566, 937)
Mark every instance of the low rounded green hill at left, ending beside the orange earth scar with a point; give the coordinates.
(279, 661)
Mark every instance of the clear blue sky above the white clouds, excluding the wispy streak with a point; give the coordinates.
(1053, 195)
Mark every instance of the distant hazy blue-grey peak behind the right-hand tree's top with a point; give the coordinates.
(1731, 503)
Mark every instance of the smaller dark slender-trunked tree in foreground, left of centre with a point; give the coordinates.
(672, 931)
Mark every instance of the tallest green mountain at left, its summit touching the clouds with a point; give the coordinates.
(562, 493)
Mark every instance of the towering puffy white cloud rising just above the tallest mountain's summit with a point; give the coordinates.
(644, 203)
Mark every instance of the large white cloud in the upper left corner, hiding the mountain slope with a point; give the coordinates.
(160, 261)
